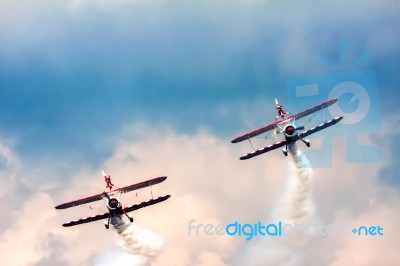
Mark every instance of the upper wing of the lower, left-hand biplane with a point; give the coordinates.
(129, 188)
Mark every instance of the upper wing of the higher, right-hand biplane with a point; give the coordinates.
(271, 126)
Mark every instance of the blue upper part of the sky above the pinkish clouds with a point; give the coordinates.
(71, 75)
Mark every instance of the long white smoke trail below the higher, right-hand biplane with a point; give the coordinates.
(295, 207)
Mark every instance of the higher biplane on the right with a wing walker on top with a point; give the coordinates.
(285, 124)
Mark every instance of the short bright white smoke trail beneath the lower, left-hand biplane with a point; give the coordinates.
(141, 246)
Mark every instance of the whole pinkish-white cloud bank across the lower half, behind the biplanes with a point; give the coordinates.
(209, 185)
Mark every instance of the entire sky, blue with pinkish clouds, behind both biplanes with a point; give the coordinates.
(149, 88)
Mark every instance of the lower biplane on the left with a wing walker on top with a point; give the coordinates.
(113, 202)
